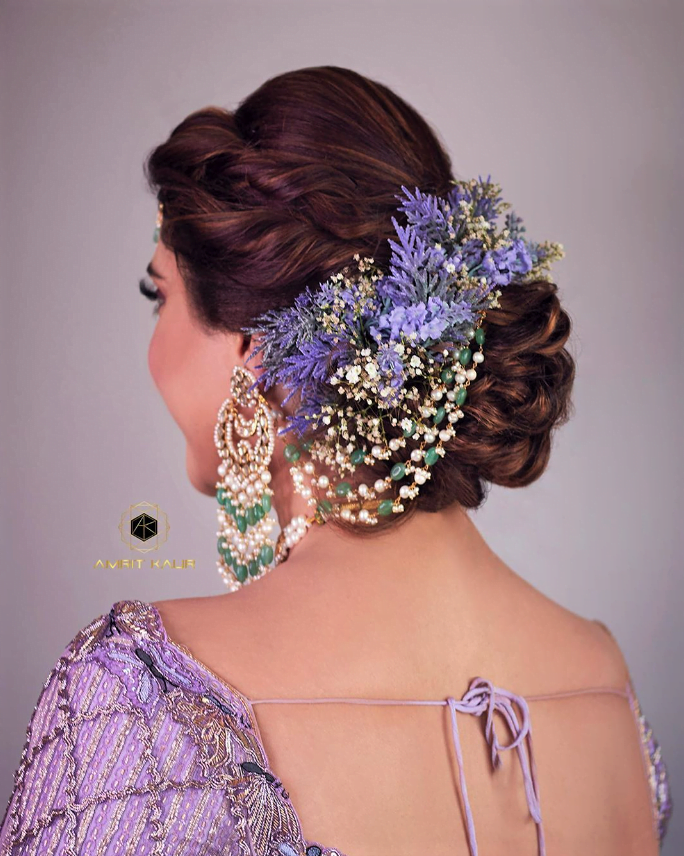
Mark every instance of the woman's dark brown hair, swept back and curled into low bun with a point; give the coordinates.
(261, 201)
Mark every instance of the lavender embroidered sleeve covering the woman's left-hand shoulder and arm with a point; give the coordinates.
(105, 765)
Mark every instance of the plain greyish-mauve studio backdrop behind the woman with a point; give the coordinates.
(574, 108)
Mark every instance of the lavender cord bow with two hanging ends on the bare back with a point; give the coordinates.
(483, 696)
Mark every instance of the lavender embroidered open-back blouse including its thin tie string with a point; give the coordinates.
(135, 747)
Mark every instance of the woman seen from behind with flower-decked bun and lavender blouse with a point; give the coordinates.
(354, 371)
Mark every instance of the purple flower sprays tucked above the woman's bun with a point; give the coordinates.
(447, 260)
